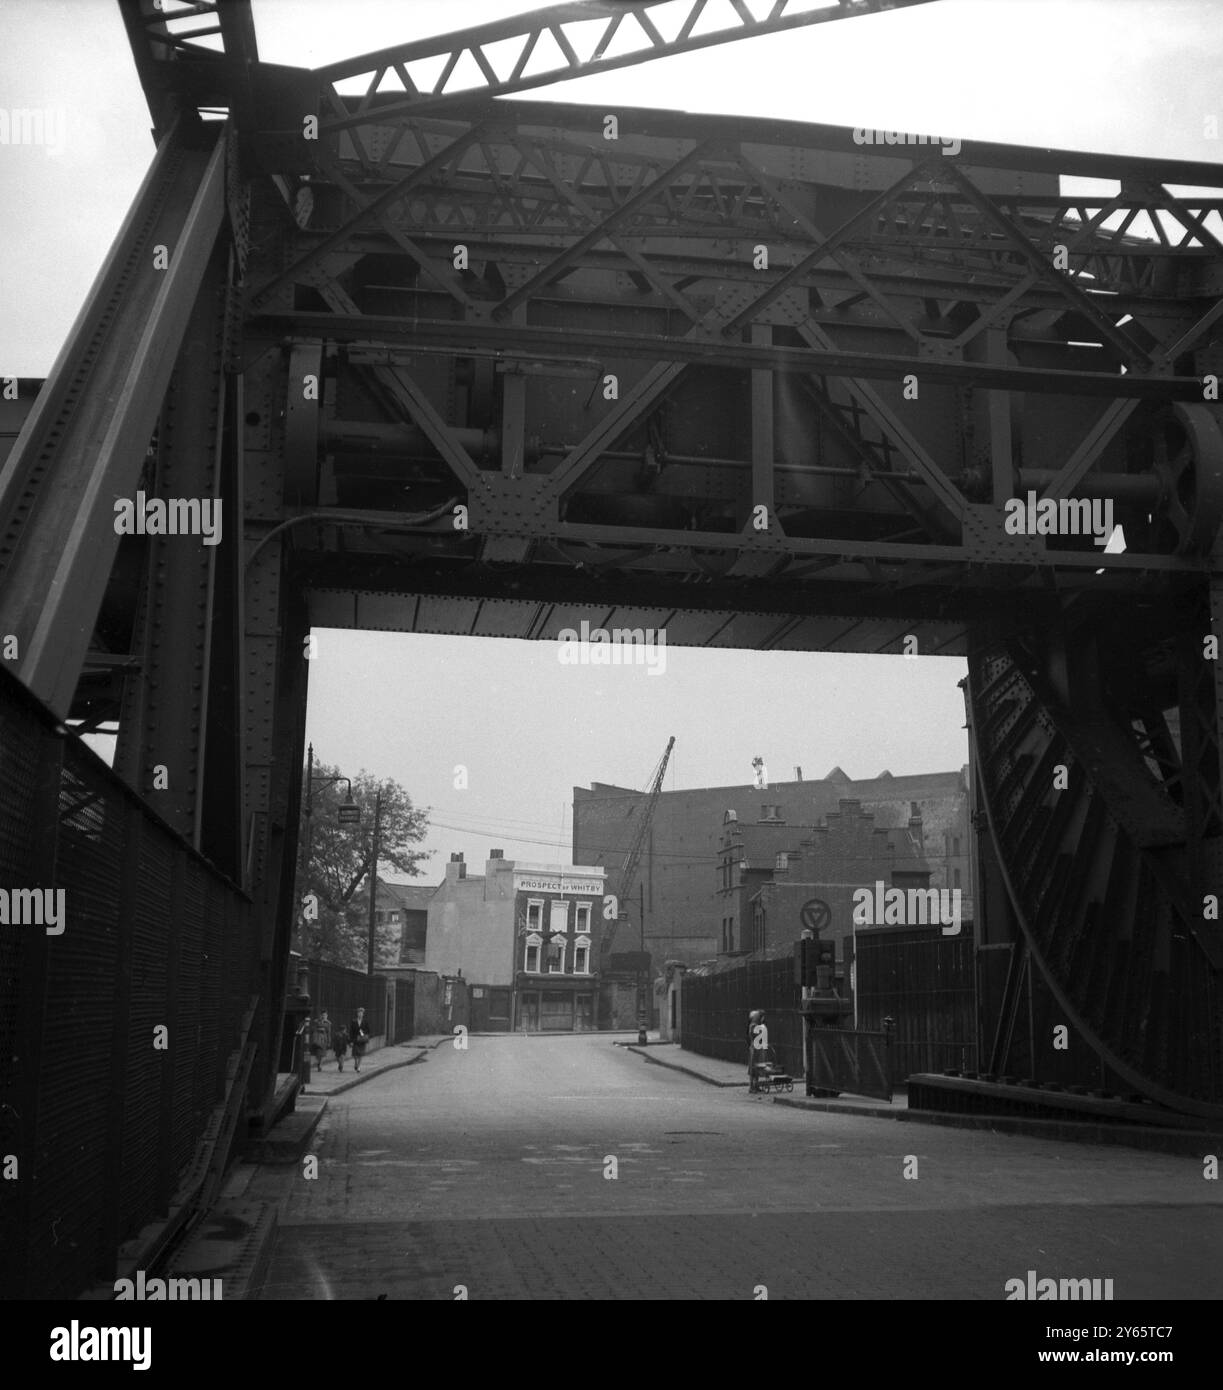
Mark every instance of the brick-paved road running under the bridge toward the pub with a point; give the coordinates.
(487, 1170)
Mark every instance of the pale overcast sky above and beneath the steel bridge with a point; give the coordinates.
(1131, 77)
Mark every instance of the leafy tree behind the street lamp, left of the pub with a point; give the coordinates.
(336, 862)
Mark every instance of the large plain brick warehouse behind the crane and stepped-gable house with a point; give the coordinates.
(684, 911)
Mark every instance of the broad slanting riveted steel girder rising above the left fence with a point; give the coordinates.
(84, 443)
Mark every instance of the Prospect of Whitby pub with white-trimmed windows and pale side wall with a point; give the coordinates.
(525, 938)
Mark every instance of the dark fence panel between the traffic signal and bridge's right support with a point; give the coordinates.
(926, 982)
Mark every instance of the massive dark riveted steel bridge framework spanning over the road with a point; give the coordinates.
(452, 361)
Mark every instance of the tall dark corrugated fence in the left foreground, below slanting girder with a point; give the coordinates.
(102, 1113)
